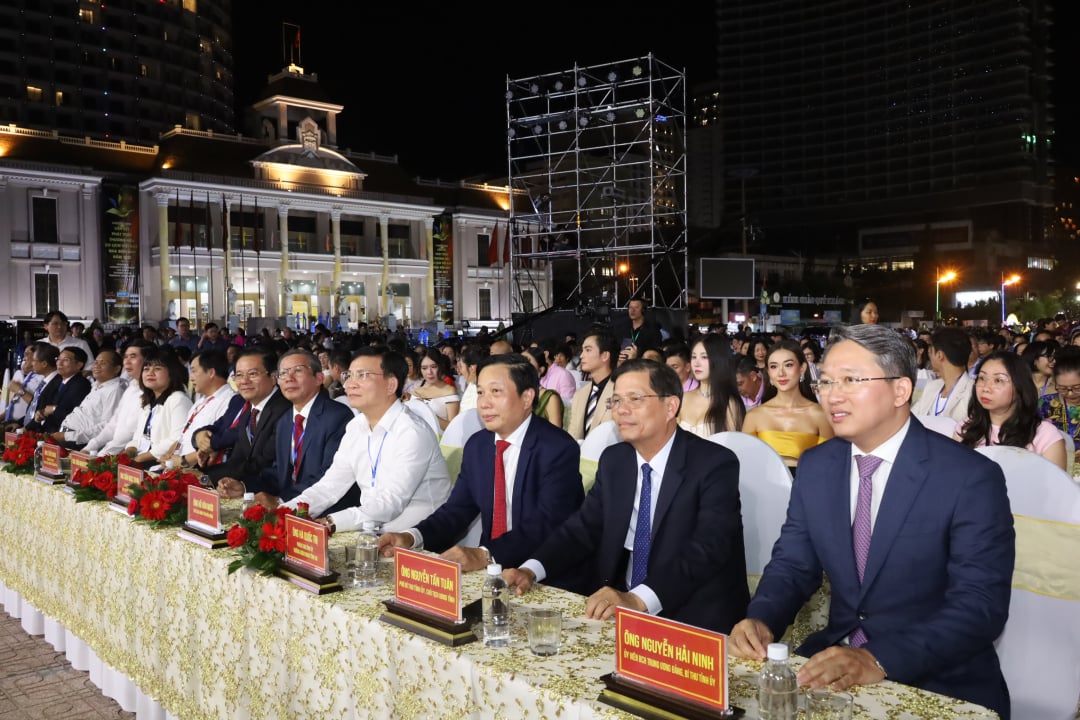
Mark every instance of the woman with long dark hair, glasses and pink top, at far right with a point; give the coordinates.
(1005, 411)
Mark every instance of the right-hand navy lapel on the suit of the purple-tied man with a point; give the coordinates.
(906, 481)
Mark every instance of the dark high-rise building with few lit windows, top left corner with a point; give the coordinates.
(128, 71)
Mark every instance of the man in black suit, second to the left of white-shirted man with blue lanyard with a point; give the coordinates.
(251, 425)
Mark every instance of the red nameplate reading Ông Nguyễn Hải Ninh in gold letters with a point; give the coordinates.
(672, 658)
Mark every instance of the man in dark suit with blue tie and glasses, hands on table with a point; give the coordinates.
(664, 522)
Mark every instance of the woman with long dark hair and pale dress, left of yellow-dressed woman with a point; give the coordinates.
(715, 405)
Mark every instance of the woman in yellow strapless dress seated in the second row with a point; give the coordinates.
(789, 419)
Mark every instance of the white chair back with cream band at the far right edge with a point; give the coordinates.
(1041, 647)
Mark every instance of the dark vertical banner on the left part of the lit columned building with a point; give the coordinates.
(120, 261)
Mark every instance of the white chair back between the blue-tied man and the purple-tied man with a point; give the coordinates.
(765, 487)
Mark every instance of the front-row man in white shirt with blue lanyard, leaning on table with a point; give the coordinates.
(391, 454)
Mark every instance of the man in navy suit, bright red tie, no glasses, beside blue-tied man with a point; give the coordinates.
(520, 474)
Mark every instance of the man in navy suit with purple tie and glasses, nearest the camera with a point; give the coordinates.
(913, 529)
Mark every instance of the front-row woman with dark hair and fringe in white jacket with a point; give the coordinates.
(166, 406)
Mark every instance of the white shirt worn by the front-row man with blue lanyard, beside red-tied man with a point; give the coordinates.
(398, 466)
